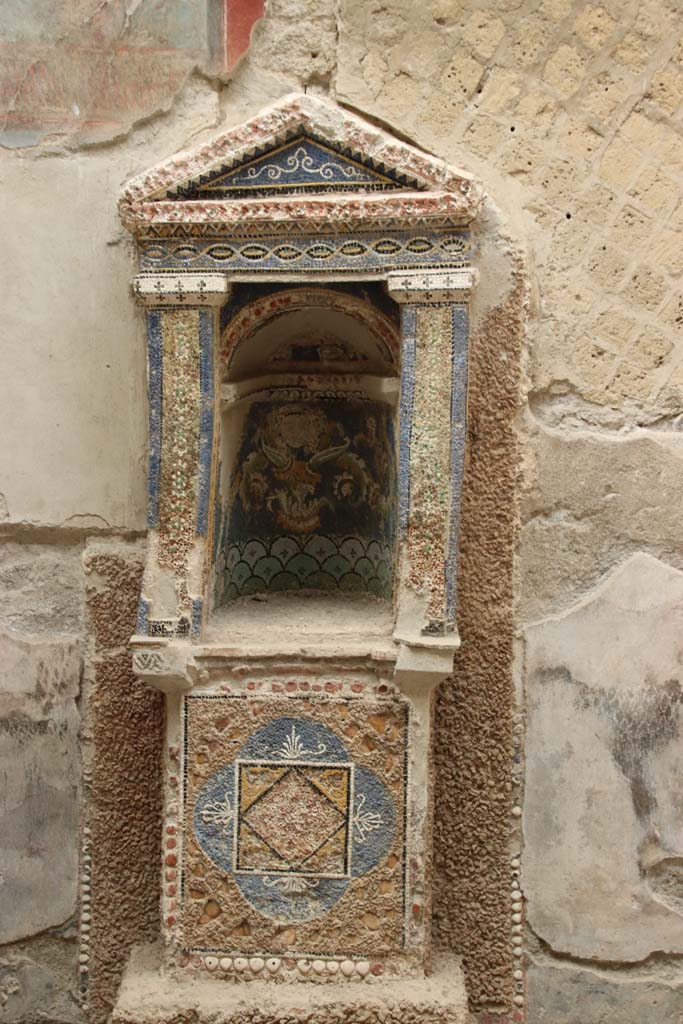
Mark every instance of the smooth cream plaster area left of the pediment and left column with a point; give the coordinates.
(73, 411)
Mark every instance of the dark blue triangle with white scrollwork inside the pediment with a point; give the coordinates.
(304, 164)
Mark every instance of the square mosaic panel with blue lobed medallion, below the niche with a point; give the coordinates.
(294, 826)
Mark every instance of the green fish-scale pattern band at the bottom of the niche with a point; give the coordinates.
(316, 564)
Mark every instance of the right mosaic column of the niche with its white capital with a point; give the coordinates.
(434, 413)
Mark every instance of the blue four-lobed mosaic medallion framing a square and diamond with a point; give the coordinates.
(293, 820)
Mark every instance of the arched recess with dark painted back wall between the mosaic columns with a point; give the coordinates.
(309, 481)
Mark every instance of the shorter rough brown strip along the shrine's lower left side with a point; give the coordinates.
(123, 758)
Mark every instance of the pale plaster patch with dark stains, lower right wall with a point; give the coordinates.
(605, 752)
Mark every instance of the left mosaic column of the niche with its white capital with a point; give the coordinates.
(183, 326)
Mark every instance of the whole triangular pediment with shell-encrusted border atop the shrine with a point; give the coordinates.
(304, 161)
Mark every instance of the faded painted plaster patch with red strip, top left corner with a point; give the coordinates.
(89, 72)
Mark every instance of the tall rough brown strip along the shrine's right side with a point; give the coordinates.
(475, 710)
